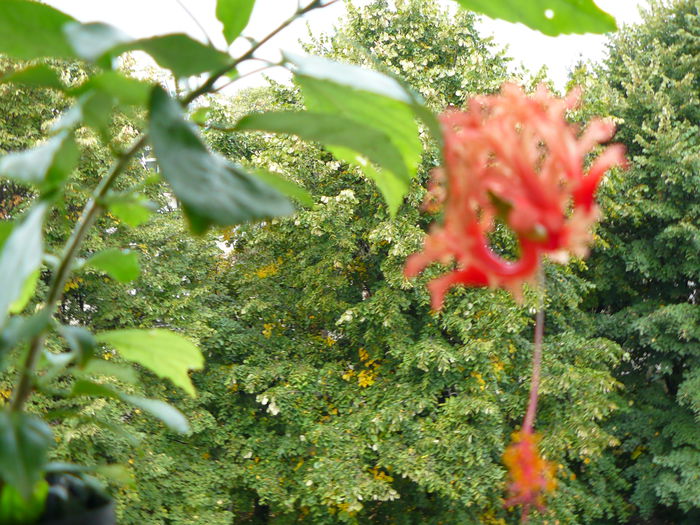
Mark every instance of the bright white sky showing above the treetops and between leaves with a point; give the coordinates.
(143, 18)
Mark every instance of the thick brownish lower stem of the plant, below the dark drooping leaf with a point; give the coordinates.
(63, 270)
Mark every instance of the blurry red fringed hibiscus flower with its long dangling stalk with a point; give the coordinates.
(514, 158)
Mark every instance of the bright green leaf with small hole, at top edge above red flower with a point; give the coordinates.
(551, 17)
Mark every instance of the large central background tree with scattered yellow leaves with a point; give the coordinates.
(339, 396)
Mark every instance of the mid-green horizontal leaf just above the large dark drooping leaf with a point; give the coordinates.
(181, 54)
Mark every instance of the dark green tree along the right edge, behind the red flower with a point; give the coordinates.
(647, 267)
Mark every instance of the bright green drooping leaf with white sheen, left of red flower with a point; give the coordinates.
(371, 100)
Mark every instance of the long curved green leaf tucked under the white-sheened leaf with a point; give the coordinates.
(355, 143)
